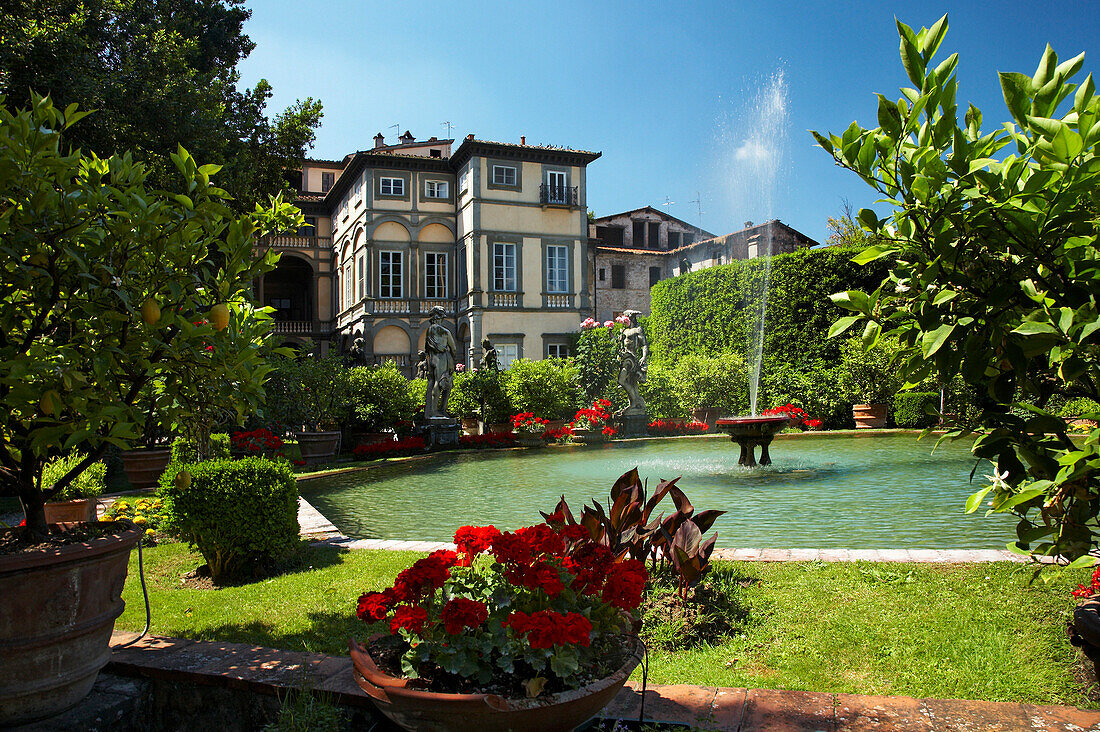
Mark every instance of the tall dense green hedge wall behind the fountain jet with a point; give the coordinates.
(714, 311)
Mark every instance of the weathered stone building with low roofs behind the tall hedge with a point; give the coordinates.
(623, 275)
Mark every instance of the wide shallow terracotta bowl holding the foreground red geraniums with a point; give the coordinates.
(414, 709)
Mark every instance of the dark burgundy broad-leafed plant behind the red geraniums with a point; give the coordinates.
(626, 528)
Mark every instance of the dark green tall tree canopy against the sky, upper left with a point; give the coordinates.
(158, 73)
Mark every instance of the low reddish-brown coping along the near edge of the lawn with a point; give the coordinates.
(277, 673)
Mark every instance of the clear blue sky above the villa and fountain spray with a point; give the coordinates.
(672, 94)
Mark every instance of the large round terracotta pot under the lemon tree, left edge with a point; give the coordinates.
(58, 610)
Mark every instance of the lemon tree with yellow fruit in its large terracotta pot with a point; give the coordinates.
(109, 288)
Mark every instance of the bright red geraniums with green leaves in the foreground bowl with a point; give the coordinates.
(545, 605)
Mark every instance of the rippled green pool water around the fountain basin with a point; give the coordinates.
(874, 493)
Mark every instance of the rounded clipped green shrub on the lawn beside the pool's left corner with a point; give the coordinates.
(243, 516)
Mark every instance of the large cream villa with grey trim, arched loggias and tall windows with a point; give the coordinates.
(497, 235)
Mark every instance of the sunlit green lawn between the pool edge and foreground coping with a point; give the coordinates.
(943, 631)
